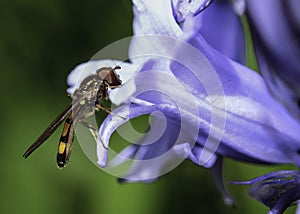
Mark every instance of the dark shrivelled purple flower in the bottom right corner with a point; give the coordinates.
(277, 190)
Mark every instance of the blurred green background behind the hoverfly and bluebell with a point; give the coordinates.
(40, 43)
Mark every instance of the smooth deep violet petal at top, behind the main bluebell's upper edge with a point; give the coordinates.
(222, 29)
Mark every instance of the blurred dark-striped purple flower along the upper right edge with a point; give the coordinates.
(275, 25)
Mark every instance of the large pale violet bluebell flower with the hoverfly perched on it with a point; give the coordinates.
(203, 104)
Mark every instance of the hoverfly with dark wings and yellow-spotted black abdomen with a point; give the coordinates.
(92, 91)
